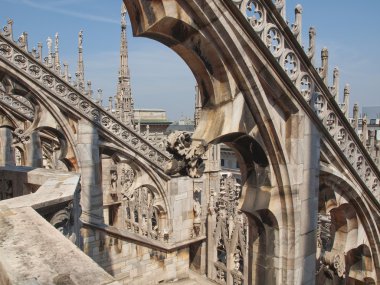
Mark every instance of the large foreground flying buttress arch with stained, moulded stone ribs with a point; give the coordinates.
(249, 88)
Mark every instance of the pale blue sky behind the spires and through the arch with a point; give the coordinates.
(160, 79)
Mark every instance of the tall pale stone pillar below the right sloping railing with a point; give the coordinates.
(306, 180)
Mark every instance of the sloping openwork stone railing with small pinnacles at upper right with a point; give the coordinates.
(267, 18)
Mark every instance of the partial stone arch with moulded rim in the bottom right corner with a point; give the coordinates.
(352, 229)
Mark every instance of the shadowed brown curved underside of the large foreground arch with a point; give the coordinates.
(193, 47)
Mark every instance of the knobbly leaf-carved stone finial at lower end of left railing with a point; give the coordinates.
(187, 158)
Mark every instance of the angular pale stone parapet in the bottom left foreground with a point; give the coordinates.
(33, 251)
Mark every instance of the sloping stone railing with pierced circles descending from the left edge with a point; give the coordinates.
(16, 54)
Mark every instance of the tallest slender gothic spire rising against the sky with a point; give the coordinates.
(124, 101)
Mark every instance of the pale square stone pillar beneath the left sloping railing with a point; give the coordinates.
(90, 169)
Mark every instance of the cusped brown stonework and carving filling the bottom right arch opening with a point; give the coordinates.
(343, 254)
